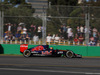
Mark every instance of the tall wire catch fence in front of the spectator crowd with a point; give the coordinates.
(56, 25)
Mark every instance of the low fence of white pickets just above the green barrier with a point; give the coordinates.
(39, 42)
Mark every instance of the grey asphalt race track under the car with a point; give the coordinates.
(18, 65)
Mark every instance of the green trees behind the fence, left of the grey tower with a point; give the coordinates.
(16, 11)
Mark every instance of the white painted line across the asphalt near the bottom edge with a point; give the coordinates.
(53, 71)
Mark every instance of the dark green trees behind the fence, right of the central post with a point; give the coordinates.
(70, 11)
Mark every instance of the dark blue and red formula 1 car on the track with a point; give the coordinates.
(44, 50)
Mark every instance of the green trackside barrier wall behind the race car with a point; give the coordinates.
(83, 50)
